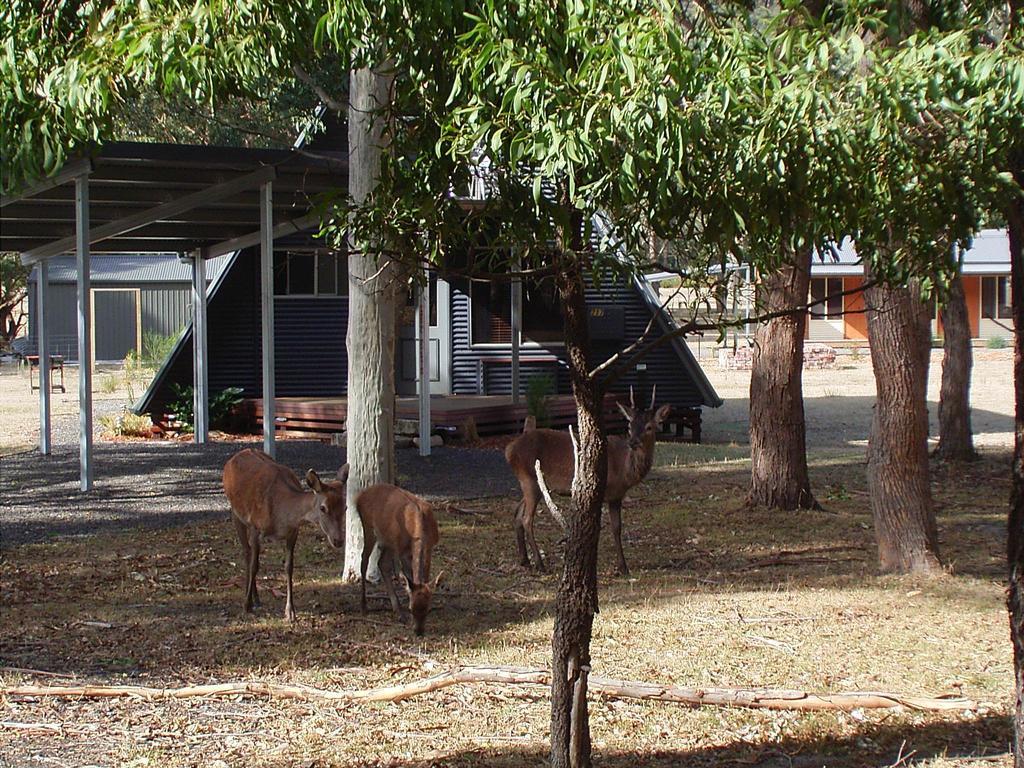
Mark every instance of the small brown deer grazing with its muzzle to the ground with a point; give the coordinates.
(405, 528)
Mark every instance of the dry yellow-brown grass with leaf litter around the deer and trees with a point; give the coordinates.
(722, 595)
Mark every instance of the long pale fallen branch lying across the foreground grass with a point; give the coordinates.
(766, 699)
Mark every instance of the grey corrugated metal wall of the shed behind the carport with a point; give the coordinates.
(166, 309)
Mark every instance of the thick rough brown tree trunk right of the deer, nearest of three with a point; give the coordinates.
(900, 334)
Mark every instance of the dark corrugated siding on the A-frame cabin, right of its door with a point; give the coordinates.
(664, 367)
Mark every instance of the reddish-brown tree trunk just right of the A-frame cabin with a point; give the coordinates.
(779, 451)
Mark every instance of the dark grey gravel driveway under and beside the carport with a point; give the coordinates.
(156, 485)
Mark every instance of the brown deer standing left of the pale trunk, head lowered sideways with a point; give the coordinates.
(269, 502)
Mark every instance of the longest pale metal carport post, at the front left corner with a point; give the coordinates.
(84, 331)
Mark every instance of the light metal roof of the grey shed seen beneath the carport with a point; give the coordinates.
(131, 269)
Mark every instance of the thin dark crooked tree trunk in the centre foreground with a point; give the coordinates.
(576, 603)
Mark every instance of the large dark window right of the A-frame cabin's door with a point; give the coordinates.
(492, 305)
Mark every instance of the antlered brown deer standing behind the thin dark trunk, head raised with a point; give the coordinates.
(630, 460)
